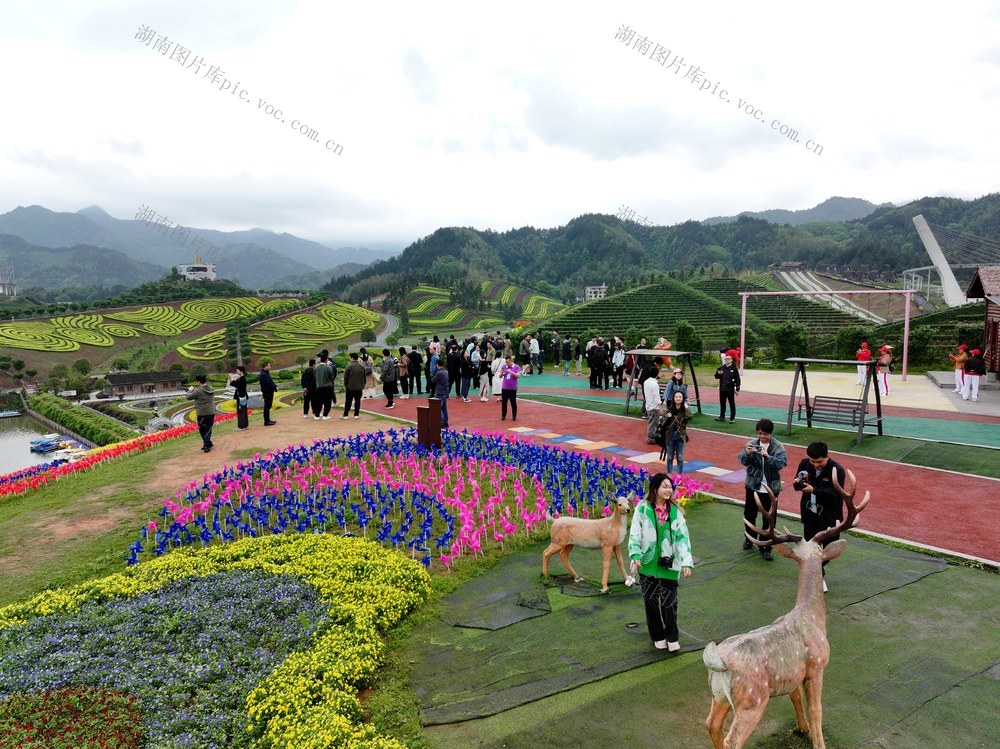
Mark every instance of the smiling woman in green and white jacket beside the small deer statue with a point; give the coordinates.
(660, 550)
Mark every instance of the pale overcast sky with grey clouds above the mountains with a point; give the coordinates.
(494, 116)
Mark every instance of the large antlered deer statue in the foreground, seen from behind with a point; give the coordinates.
(787, 657)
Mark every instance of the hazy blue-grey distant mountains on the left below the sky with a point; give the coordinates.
(92, 248)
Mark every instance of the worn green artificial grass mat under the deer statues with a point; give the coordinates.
(913, 663)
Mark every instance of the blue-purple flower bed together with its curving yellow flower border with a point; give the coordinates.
(263, 642)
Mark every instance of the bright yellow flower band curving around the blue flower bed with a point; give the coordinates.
(309, 701)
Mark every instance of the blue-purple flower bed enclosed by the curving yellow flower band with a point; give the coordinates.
(191, 650)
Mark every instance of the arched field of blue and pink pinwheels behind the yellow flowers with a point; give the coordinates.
(478, 491)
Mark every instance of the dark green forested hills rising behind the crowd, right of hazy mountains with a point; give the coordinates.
(596, 248)
